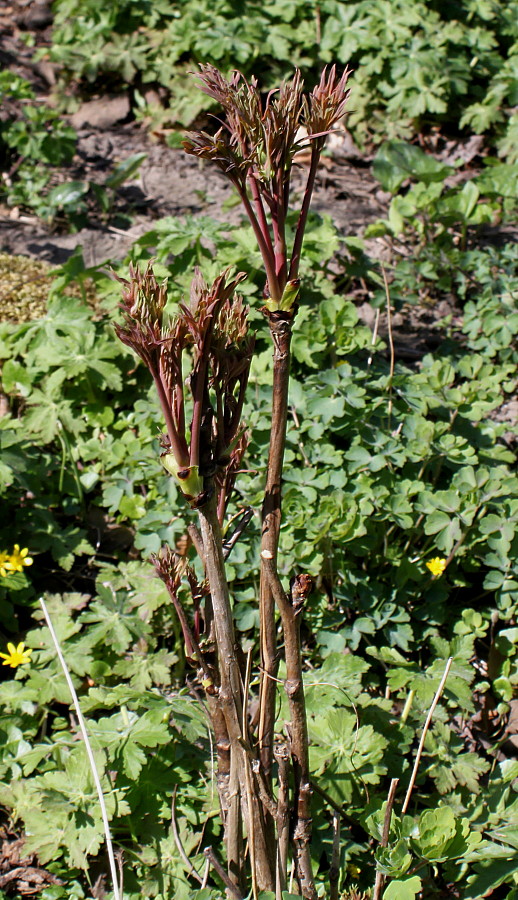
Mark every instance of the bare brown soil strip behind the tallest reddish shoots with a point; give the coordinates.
(169, 183)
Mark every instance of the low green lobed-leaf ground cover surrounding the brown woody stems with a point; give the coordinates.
(388, 466)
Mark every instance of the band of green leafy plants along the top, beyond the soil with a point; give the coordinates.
(422, 63)
